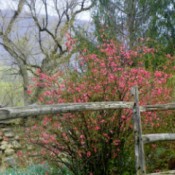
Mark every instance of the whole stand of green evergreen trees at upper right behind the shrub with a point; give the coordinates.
(130, 20)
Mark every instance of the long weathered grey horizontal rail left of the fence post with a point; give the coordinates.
(22, 112)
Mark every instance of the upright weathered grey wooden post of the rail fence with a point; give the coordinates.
(139, 147)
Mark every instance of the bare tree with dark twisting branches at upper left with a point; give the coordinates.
(41, 43)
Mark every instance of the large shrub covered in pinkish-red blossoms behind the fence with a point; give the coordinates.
(96, 143)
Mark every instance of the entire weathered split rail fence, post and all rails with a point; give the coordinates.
(8, 113)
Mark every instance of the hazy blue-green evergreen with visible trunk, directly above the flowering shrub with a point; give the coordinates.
(123, 19)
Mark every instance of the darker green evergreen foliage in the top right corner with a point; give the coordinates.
(161, 25)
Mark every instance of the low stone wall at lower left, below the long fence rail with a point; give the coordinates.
(12, 140)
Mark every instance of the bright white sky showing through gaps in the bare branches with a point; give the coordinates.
(10, 4)
